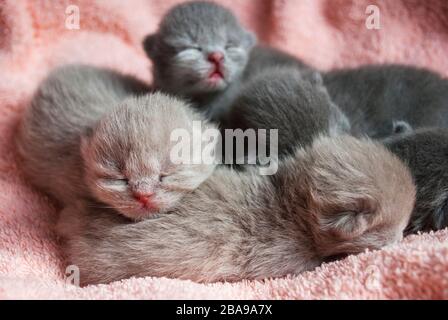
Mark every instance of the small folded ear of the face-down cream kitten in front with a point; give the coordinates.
(353, 222)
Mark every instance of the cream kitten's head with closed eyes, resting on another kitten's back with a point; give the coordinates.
(128, 160)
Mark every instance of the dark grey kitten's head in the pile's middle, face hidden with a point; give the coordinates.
(280, 98)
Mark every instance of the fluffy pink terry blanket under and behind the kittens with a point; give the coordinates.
(325, 33)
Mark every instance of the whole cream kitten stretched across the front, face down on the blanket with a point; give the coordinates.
(339, 196)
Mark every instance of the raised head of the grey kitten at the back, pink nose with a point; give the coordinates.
(199, 47)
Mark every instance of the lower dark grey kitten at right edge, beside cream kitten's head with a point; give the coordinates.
(426, 153)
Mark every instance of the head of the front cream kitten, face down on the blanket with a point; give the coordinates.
(357, 195)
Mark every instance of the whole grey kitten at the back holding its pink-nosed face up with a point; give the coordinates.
(202, 52)
